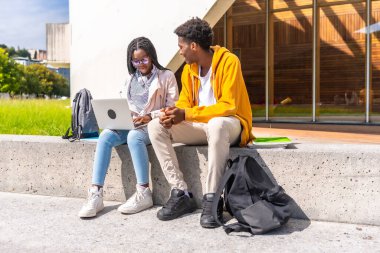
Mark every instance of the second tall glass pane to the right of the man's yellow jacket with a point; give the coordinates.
(292, 88)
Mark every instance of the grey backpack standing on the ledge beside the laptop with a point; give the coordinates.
(83, 121)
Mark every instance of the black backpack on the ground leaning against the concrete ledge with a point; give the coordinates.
(250, 196)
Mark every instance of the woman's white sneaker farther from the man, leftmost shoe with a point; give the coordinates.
(94, 203)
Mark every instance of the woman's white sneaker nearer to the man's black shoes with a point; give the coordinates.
(140, 200)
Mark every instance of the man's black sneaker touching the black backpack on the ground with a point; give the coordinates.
(207, 219)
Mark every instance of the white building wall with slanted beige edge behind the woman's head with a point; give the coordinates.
(102, 30)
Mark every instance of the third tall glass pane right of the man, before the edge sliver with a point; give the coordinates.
(342, 63)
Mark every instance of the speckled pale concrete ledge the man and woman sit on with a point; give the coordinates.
(328, 182)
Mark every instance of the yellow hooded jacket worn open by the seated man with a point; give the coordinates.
(229, 90)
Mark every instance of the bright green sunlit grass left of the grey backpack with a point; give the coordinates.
(34, 117)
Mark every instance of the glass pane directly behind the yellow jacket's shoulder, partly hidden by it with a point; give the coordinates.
(248, 19)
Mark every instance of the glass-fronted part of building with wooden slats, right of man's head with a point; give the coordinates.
(307, 61)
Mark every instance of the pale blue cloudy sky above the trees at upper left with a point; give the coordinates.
(23, 22)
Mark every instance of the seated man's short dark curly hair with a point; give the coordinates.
(196, 30)
